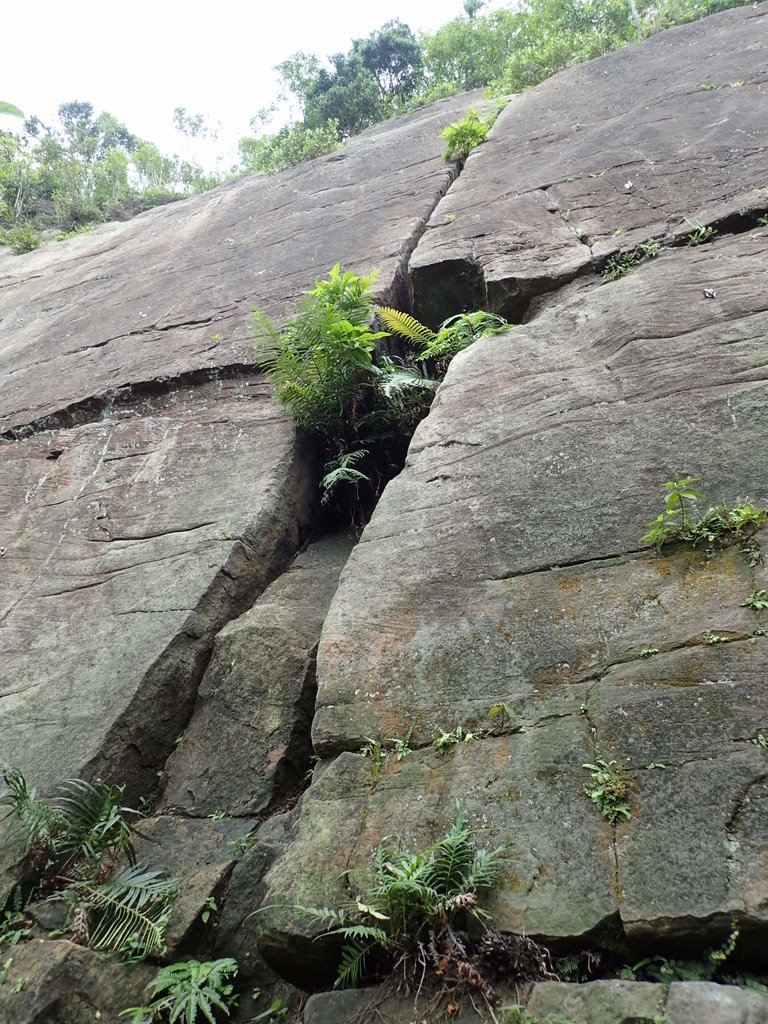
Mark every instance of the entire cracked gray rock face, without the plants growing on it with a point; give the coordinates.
(153, 497)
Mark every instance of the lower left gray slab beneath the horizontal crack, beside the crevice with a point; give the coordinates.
(130, 542)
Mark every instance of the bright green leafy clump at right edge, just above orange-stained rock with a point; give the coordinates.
(721, 525)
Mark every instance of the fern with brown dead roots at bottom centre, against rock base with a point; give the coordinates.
(413, 919)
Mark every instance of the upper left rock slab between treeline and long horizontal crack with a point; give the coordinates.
(149, 301)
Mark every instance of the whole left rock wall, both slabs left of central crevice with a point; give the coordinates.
(149, 489)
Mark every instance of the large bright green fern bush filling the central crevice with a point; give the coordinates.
(327, 369)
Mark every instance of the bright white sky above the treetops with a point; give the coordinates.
(142, 59)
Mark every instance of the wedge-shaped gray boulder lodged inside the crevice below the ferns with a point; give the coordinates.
(248, 742)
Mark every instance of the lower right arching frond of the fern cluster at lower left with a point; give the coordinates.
(129, 914)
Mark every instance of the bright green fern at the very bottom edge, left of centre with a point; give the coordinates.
(188, 993)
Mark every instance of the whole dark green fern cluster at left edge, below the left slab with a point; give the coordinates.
(79, 848)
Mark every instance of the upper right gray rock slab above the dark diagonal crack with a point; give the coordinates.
(602, 158)
